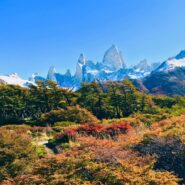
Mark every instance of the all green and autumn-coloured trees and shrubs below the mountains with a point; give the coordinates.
(108, 133)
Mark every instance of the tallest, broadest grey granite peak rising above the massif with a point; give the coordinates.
(113, 59)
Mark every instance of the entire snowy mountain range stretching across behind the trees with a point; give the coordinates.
(167, 77)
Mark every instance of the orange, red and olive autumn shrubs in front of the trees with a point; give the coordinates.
(126, 152)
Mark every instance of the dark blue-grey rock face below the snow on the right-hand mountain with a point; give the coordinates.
(169, 83)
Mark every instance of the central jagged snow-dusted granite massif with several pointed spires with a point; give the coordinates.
(112, 67)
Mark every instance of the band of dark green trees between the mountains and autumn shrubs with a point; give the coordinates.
(107, 100)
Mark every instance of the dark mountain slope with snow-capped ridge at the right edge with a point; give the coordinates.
(169, 77)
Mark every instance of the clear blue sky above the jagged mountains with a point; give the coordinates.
(35, 34)
